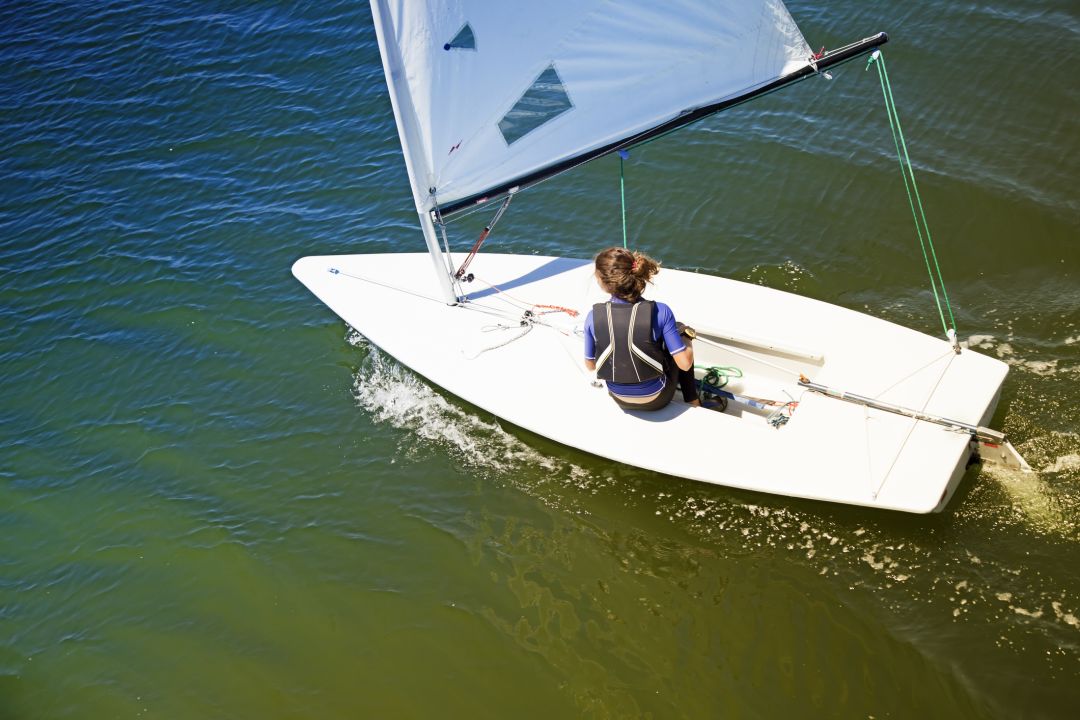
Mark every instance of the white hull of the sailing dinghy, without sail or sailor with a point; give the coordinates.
(829, 451)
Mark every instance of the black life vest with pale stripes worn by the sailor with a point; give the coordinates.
(626, 351)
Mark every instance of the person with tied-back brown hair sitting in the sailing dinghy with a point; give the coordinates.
(636, 345)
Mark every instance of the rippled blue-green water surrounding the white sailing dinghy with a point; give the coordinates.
(219, 502)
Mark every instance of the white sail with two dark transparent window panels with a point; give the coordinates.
(488, 92)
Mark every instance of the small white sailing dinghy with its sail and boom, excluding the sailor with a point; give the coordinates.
(492, 99)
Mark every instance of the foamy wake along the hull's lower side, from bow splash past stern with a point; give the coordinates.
(906, 562)
